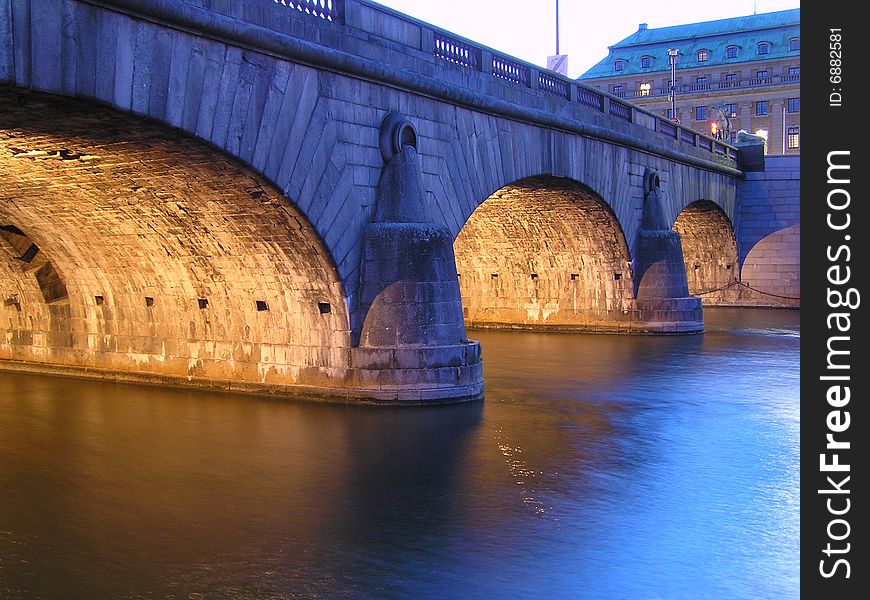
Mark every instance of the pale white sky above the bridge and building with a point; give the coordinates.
(586, 28)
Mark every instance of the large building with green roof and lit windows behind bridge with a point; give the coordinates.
(745, 68)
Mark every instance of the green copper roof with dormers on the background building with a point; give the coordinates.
(776, 28)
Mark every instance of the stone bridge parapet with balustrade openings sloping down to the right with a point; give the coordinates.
(443, 64)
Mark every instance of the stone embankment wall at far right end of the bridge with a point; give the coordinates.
(769, 233)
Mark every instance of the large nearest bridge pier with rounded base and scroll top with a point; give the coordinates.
(411, 345)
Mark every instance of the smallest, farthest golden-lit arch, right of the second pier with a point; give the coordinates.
(709, 252)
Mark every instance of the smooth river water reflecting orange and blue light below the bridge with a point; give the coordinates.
(597, 467)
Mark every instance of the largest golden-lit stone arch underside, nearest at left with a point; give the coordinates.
(168, 259)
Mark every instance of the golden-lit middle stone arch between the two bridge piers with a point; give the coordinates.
(544, 252)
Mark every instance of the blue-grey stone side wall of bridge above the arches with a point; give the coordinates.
(313, 130)
